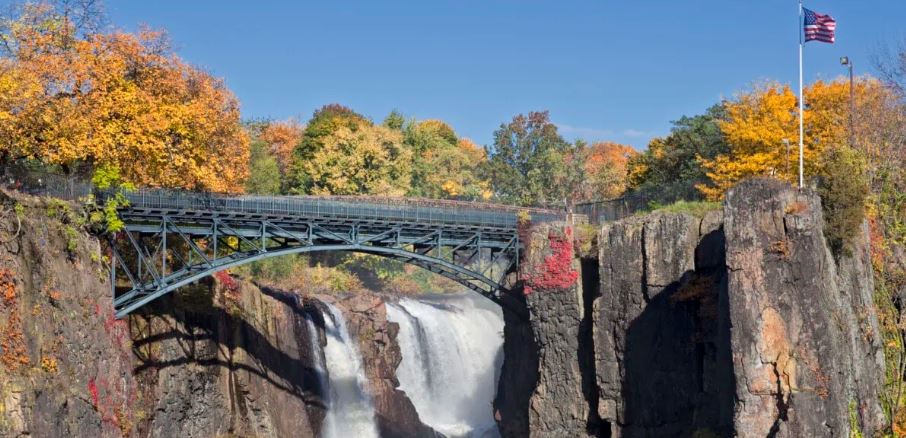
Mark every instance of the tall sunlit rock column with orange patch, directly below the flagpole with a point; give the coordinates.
(806, 354)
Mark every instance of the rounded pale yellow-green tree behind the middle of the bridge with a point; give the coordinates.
(342, 153)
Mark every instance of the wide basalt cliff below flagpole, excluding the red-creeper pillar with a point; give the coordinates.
(741, 323)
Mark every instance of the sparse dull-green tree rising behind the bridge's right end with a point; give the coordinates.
(528, 161)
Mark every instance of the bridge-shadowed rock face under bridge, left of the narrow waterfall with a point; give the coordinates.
(235, 361)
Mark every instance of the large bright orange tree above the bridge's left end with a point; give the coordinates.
(86, 100)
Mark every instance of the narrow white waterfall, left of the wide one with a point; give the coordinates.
(350, 412)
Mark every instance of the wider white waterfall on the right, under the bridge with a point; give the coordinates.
(451, 348)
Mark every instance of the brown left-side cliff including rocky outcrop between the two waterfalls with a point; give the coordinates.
(220, 358)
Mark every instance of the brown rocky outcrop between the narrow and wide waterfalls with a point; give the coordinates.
(366, 319)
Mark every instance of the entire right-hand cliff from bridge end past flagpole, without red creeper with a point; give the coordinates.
(737, 323)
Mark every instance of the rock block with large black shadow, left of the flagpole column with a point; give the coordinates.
(661, 340)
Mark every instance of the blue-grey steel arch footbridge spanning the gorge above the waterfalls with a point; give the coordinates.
(171, 239)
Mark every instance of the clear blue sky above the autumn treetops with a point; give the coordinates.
(607, 70)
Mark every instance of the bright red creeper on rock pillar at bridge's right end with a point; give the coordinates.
(556, 272)
